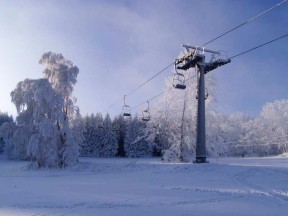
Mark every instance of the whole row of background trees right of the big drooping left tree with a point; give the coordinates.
(171, 132)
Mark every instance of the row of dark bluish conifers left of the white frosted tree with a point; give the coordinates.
(103, 137)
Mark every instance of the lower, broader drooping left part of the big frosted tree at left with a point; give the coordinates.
(41, 122)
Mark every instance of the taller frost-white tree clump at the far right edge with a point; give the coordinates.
(266, 134)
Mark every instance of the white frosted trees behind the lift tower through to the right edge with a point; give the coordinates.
(237, 134)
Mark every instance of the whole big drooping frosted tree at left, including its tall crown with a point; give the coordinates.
(45, 113)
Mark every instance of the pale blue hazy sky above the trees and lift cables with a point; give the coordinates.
(117, 45)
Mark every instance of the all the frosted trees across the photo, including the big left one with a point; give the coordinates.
(50, 132)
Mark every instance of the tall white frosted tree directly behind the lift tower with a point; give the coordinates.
(174, 117)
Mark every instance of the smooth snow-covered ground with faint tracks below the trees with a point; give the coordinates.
(229, 186)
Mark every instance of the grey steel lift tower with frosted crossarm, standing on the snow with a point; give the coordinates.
(195, 58)
